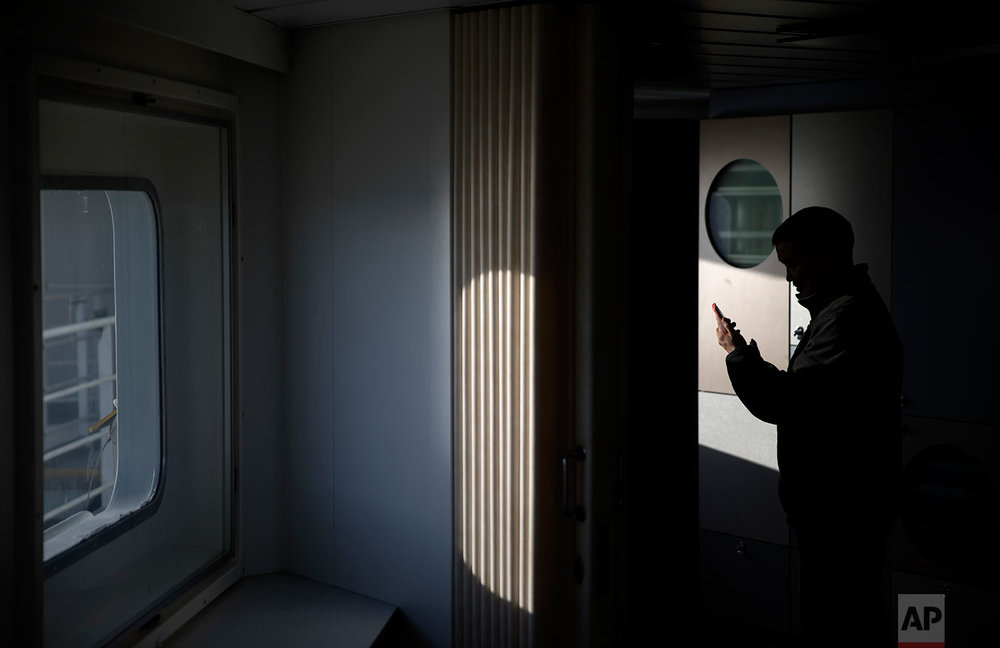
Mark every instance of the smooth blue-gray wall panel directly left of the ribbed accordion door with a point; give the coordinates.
(392, 314)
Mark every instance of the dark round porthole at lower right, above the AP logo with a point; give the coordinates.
(949, 507)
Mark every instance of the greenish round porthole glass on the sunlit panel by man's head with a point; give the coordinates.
(742, 212)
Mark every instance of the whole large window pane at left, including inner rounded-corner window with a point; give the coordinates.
(148, 275)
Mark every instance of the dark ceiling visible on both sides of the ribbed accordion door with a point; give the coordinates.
(697, 45)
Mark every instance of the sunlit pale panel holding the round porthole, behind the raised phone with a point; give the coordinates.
(737, 453)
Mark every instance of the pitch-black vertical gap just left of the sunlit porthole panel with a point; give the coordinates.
(660, 491)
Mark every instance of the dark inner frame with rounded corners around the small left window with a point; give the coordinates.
(130, 520)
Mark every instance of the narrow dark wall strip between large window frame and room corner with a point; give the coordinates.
(261, 421)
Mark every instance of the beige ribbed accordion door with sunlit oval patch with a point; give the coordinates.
(493, 259)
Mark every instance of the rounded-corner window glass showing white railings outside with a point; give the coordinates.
(103, 442)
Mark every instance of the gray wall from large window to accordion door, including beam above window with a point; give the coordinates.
(367, 282)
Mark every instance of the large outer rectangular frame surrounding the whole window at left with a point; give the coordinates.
(37, 76)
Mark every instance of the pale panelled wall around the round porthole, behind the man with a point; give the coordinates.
(839, 160)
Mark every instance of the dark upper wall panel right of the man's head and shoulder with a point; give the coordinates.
(944, 265)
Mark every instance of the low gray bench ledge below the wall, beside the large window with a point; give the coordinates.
(285, 610)
